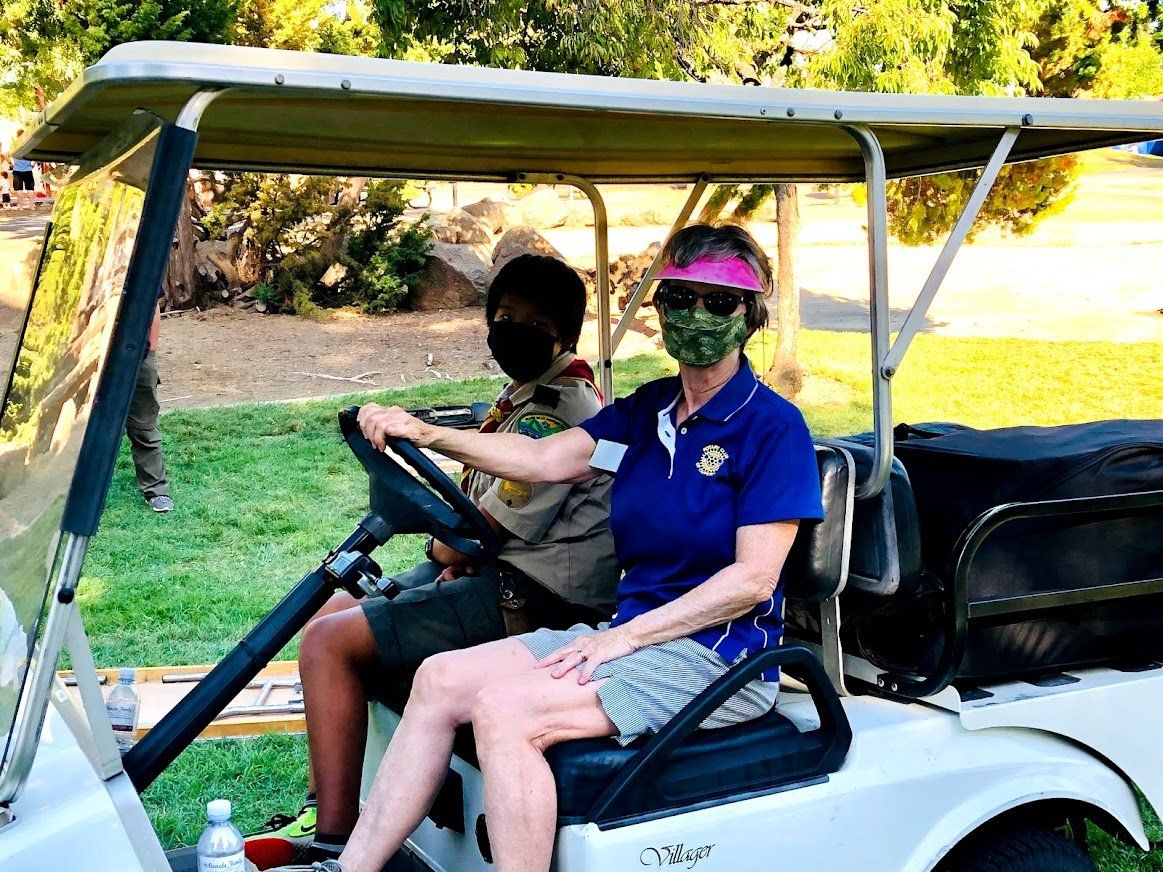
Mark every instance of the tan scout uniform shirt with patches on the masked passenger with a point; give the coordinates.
(561, 533)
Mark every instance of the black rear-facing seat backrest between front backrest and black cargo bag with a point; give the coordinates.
(887, 533)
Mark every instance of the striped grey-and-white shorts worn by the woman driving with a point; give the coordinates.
(645, 690)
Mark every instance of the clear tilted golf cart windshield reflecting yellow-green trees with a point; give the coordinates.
(53, 383)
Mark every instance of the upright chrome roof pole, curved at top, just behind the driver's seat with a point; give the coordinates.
(876, 178)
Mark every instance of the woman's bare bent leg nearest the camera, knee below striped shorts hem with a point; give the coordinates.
(515, 724)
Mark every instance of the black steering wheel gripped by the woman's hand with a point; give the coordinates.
(441, 509)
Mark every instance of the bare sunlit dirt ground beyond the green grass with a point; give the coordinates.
(1088, 274)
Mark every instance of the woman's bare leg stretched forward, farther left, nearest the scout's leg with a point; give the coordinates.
(422, 749)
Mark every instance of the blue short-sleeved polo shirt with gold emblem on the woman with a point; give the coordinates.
(684, 489)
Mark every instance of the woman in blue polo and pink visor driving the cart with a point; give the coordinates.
(715, 475)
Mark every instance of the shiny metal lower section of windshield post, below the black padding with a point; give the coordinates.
(30, 720)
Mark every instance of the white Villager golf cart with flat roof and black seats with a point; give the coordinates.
(996, 681)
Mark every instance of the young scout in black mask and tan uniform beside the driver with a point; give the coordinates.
(556, 564)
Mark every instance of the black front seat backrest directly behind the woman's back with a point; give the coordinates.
(818, 563)
